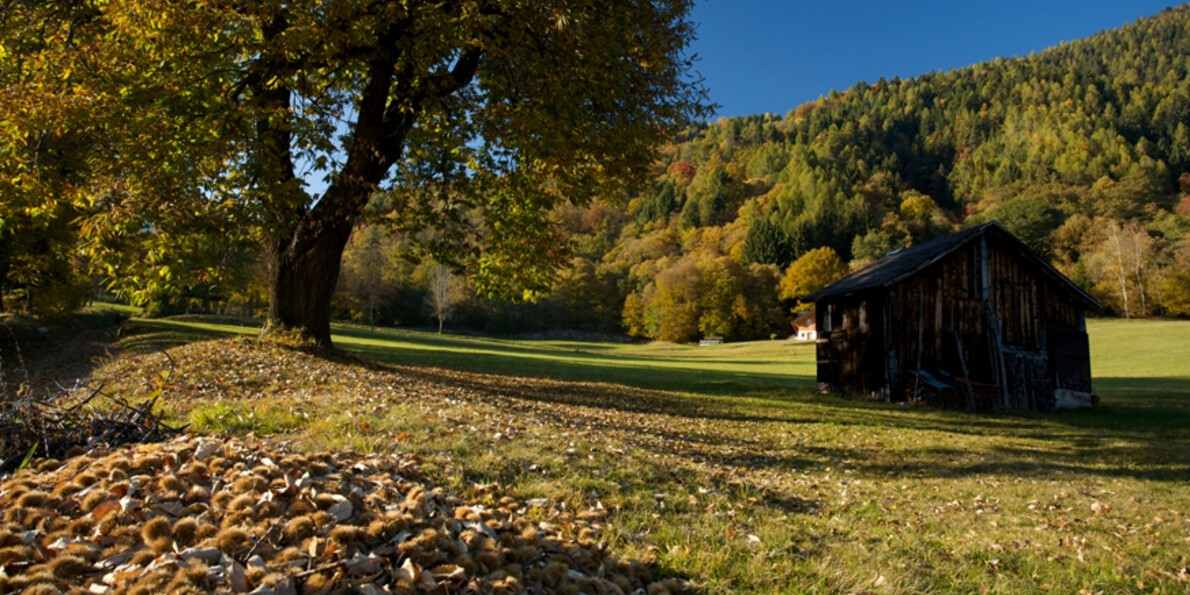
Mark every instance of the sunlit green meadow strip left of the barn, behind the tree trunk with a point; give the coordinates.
(730, 369)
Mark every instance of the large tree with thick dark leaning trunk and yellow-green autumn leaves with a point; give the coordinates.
(280, 121)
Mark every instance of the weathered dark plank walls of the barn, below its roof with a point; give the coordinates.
(1000, 308)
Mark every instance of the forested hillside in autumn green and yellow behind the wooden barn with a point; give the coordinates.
(1082, 151)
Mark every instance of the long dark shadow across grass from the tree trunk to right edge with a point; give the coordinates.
(1129, 436)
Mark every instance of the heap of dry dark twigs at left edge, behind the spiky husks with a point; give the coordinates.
(64, 424)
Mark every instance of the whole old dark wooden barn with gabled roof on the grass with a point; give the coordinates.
(975, 321)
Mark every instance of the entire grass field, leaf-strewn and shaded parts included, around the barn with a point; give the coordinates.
(721, 466)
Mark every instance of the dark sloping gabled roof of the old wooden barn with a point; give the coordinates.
(900, 265)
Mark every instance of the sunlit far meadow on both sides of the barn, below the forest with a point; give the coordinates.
(1137, 364)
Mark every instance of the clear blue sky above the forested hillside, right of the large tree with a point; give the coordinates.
(771, 57)
